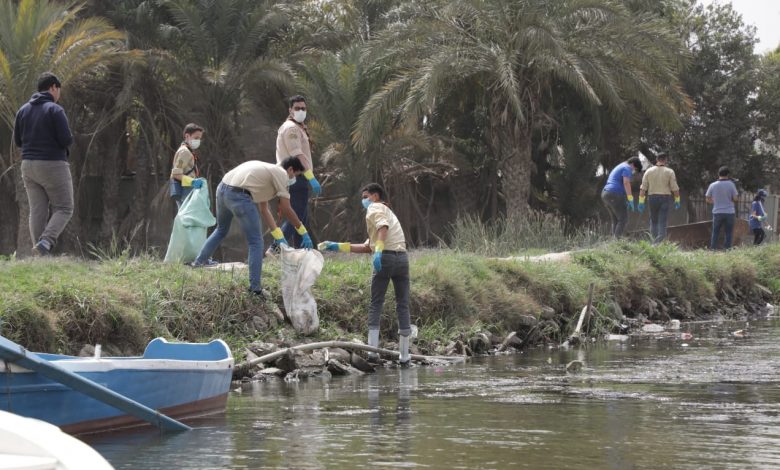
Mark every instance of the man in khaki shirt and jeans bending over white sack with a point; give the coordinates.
(244, 193)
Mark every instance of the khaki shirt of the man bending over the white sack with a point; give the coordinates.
(264, 180)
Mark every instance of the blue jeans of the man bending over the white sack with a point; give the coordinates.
(239, 204)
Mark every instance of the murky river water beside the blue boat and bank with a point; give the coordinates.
(709, 402)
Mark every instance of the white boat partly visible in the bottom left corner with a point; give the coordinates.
(31, 444)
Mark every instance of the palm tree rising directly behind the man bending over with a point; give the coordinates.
(222, 51)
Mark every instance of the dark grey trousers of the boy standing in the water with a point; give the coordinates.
(395, 267)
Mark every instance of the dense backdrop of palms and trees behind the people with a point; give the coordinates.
(480, 108)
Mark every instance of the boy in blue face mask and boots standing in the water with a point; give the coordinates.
(390, 262)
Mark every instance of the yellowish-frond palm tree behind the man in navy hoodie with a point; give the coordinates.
(38, 36)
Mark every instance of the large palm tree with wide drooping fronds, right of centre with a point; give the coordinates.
(510, 55)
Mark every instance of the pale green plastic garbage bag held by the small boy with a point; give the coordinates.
(189, 226)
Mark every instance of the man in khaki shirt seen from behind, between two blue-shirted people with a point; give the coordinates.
(659, 183)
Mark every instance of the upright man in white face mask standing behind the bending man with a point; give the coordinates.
(292, 140)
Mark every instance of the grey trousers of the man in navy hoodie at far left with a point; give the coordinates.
(50, 193)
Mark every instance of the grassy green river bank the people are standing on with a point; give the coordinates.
(60, 304)
